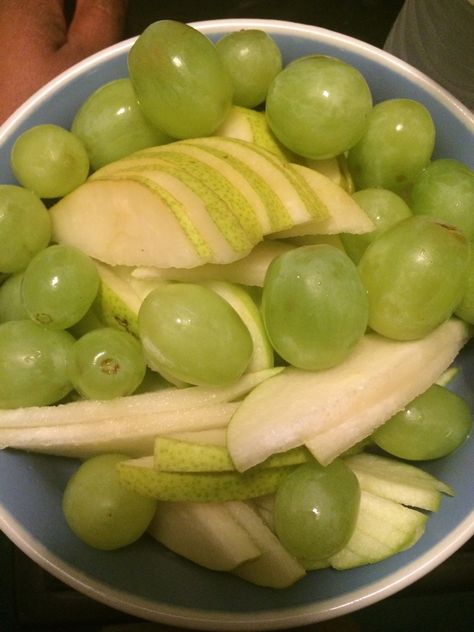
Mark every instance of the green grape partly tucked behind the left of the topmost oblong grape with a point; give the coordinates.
(111, 124)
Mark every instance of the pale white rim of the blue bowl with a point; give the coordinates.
(271, 619)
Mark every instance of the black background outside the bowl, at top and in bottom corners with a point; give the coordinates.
(33, 601)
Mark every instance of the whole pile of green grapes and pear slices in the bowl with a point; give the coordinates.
(235, 291)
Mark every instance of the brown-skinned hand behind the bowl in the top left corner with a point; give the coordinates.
(38, 42)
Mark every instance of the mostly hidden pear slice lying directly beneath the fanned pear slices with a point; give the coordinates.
(249, 270)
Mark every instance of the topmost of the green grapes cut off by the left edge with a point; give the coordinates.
(25, 227)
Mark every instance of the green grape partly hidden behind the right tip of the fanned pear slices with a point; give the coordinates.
(385, 208)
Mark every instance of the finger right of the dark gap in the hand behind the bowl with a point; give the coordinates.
(96, 24)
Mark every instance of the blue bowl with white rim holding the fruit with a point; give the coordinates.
(145, 580)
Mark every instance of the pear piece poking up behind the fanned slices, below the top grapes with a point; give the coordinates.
(251, 125)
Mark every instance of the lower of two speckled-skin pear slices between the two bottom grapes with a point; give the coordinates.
(141, 476)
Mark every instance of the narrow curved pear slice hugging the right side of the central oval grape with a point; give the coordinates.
(262, 355)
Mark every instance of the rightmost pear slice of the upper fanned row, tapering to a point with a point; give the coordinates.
(346, 216)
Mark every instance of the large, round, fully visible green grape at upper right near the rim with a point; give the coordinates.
(318, 106)
